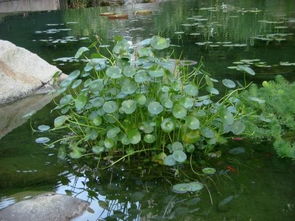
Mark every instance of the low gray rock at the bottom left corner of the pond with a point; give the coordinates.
(45, 207)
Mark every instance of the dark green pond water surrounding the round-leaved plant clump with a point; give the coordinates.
(254, 185)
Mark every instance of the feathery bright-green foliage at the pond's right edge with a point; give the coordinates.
(273, 108)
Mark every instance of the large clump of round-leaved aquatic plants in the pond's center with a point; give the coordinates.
(137, 102)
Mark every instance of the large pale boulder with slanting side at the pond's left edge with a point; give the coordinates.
(22, 72)
